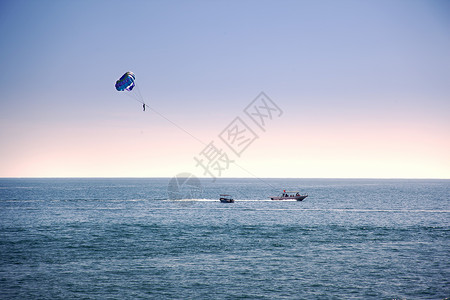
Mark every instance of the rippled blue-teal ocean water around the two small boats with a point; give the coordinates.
(130, 239)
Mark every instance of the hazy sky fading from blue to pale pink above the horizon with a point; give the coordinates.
(352, 89)
